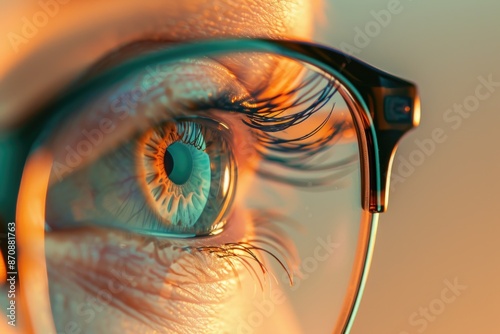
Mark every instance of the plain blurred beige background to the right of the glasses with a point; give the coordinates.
(442, 222)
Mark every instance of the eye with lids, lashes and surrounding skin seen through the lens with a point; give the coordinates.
(174, 182)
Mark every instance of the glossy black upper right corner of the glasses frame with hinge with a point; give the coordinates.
(390, 107)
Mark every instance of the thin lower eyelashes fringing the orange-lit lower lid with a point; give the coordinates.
(268, 241)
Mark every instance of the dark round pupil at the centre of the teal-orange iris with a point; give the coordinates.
(178, 163)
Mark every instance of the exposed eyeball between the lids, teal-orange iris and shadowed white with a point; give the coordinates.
(176, 179)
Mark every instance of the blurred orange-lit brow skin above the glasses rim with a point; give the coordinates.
(110, 28)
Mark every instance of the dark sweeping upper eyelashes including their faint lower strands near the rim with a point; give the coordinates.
(268, 115)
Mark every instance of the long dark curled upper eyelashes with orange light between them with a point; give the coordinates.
(265, 116)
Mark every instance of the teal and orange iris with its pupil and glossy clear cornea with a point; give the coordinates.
(187, 169)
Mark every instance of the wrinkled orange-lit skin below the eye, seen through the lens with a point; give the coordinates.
(107, 282)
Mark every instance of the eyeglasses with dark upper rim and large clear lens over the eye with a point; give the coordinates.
(223, 185)
